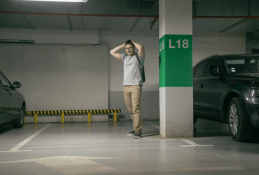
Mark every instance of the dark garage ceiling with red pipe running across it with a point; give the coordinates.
(140, 14)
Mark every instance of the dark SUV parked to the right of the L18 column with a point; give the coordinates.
(226, 89)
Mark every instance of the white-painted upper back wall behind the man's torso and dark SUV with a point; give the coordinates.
(204, 44)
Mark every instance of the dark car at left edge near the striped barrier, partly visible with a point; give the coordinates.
(12, 103)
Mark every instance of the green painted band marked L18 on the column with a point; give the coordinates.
(175, 52)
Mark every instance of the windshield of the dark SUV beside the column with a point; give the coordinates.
(242, 64)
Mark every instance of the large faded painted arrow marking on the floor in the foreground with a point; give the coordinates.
(72, 165)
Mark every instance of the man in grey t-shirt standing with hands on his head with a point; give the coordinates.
(133, 81)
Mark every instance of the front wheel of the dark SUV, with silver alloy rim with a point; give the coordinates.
(239, 124)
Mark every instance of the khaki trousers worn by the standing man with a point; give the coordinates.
(132, 96)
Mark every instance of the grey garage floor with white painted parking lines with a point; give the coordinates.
(104, 148)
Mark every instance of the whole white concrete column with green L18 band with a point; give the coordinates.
(175, 70)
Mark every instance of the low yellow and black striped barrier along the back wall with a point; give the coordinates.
(63, 112)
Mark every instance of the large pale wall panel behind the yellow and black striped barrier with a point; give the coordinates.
(56, 77)
